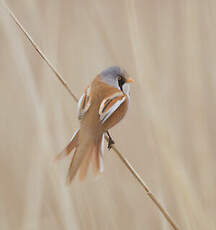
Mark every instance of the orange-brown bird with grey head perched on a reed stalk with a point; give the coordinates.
(103, 104)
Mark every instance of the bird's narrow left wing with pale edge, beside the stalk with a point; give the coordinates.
(84, 103)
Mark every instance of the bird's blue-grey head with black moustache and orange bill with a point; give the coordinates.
(116, 77)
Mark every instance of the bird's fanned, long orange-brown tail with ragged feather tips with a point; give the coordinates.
(86, 152)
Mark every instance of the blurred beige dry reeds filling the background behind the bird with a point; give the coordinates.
(168, 134)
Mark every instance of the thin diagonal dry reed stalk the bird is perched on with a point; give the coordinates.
(123, 159)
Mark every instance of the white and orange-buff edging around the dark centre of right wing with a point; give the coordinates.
(105, 115)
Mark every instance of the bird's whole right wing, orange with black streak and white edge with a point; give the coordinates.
(110, 104)
